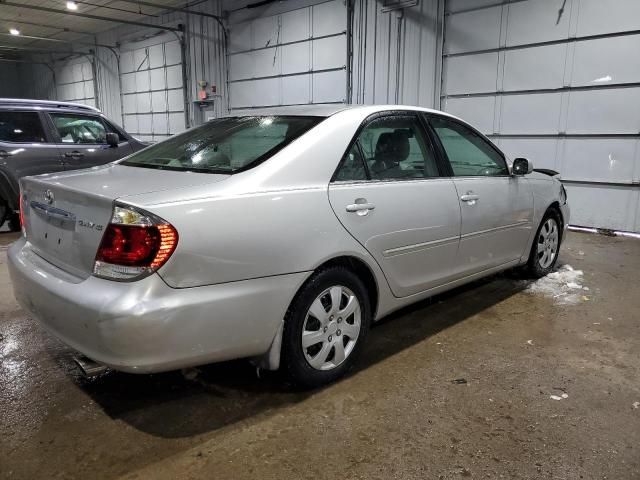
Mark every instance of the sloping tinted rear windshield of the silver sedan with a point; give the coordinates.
(225, 145)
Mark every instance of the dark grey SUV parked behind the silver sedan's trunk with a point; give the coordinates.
(38, 136)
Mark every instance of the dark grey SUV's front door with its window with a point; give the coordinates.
(81, 140)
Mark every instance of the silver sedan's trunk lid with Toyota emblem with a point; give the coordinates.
(65, 215)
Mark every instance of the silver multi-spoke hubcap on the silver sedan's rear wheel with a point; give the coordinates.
(331, 328)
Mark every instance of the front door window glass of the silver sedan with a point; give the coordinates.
(469, 154)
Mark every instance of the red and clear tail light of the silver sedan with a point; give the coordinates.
(135, 244)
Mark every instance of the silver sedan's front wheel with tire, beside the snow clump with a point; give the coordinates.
(546, 246)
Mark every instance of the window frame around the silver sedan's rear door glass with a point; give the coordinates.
(422, 126)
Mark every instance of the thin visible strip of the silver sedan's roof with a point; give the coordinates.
(328, 110)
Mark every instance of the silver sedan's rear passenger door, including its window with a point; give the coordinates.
(389, 194)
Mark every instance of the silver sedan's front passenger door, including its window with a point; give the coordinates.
(496, 207)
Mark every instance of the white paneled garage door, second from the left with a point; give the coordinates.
(152, 88)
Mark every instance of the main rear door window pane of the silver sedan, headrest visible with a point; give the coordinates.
(394, 147)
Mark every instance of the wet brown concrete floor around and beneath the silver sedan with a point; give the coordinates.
(399, 415)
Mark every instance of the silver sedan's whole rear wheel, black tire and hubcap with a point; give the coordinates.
(325, 327)
